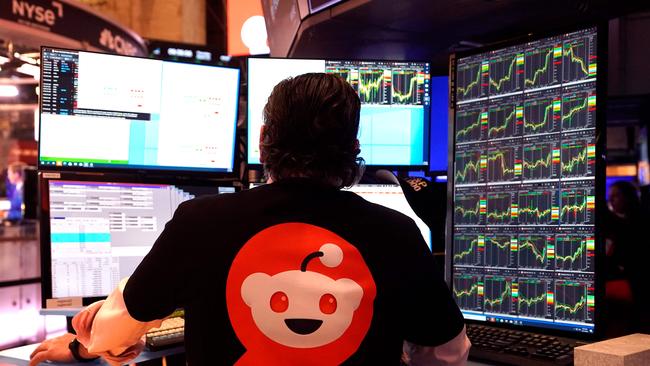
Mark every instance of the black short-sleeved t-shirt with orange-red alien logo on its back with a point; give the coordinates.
(294, 273)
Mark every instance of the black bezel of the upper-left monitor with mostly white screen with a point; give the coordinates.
(161, 171)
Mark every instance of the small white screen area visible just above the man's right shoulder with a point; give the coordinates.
(392, 196)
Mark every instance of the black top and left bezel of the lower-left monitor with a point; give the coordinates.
(44, 179)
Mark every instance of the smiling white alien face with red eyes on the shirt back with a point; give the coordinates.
(302, 309)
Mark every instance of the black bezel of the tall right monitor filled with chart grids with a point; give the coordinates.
(601, 204)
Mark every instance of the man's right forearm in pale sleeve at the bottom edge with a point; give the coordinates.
(452, 353)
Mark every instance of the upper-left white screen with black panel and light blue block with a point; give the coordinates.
(102, 111)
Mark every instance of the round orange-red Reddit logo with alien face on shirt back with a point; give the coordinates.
(298, 294)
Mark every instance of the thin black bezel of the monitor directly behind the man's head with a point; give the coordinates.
(259, 166)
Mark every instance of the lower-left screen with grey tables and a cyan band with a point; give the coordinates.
(94, 234)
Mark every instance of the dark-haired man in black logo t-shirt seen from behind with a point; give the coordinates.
(295, 272)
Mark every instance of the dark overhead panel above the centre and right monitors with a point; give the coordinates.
(432, 29)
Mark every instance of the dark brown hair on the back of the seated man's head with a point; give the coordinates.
(311, 123)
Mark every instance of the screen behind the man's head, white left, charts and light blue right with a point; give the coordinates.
(395, 104)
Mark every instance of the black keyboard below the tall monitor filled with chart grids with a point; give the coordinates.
(512, 347)
